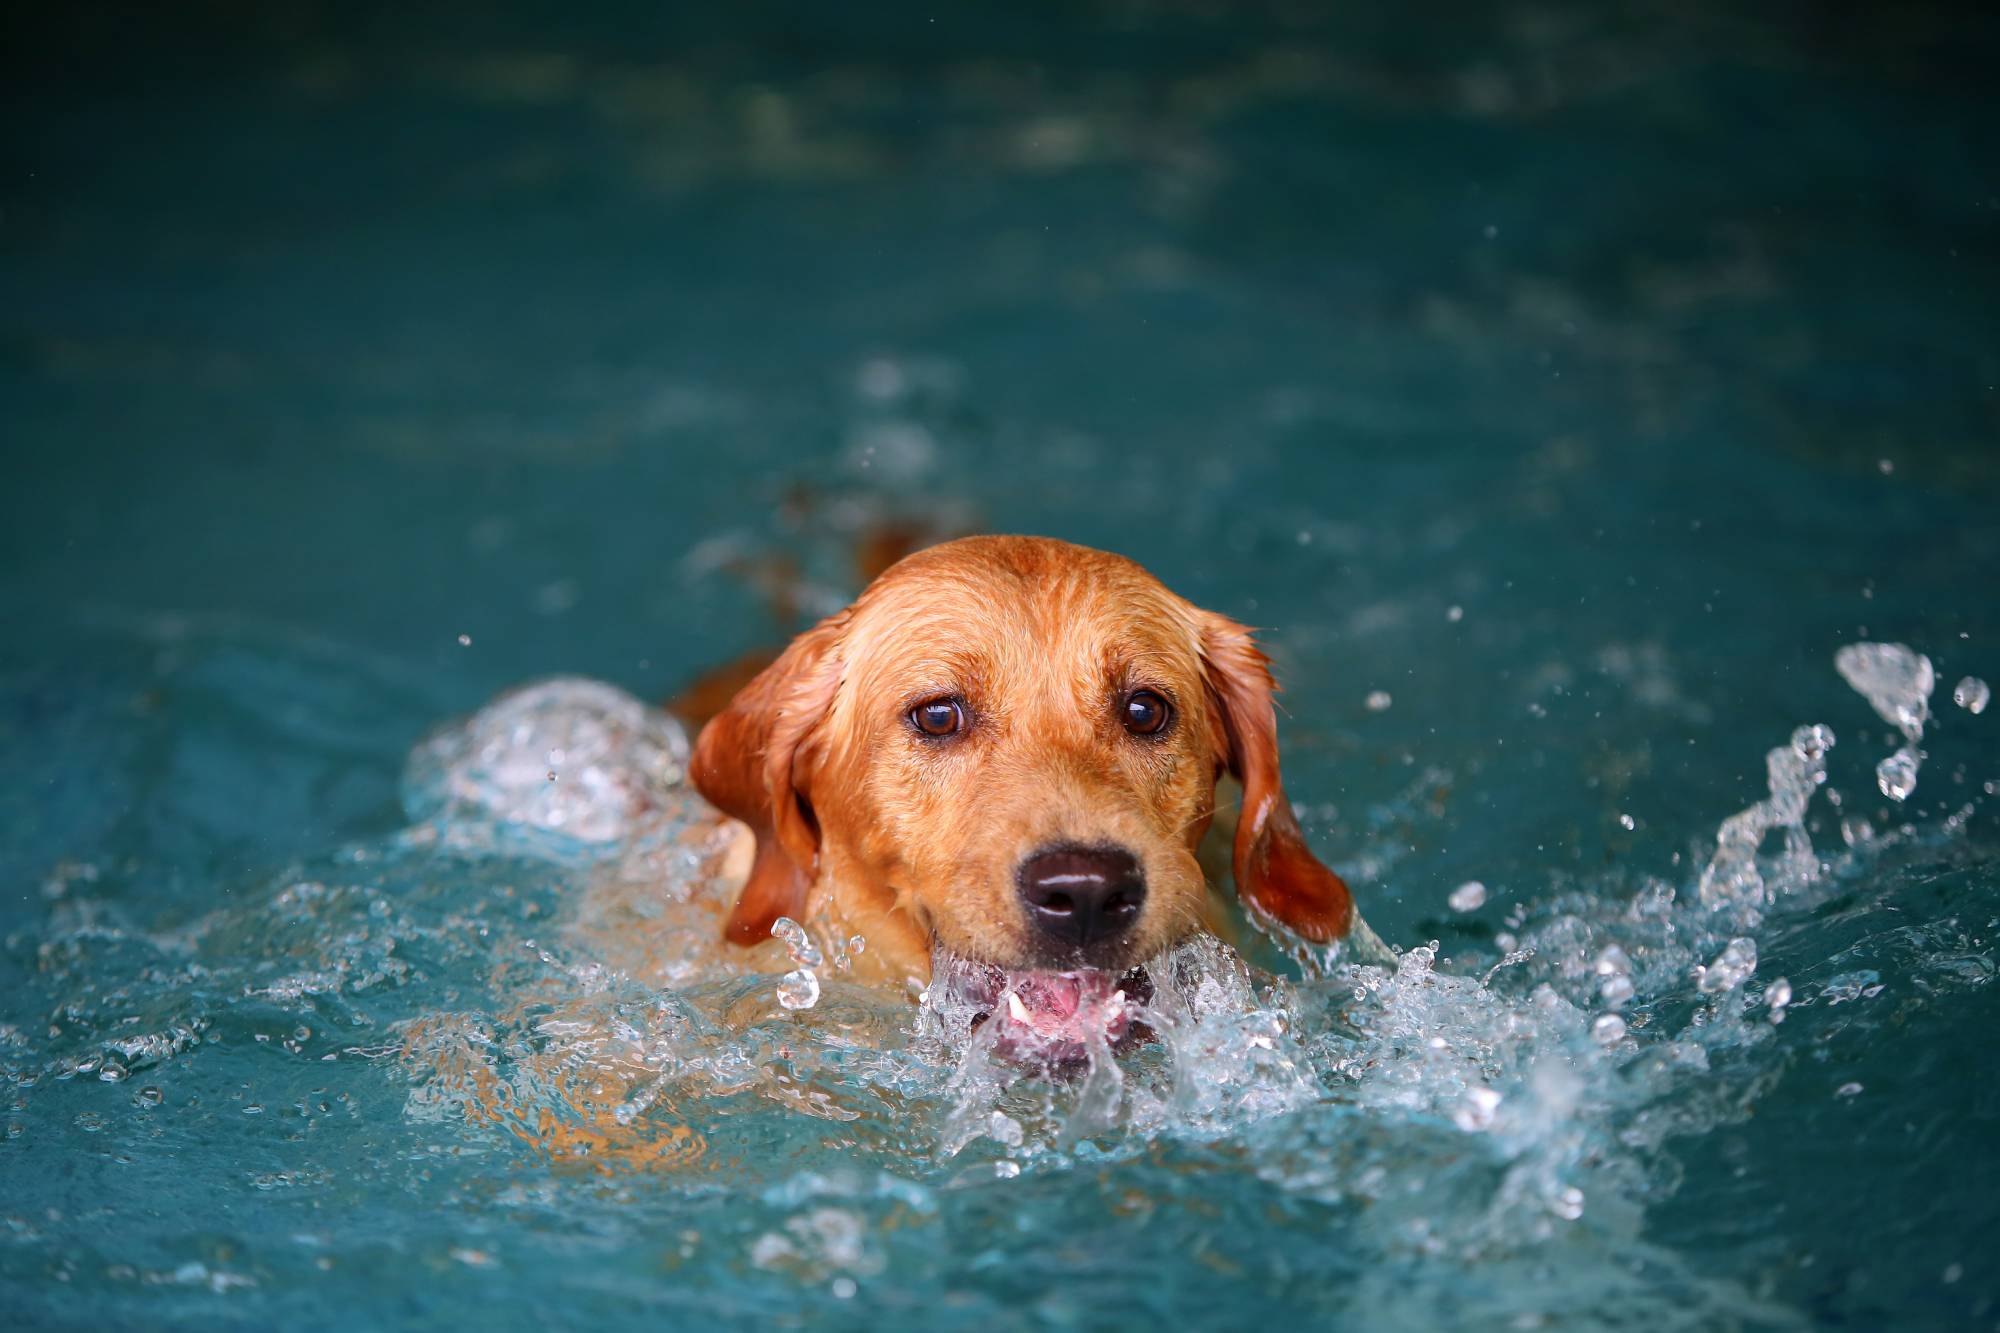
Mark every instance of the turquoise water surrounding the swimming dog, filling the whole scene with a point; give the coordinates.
(1559, 387)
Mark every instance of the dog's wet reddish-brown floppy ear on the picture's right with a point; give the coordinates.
(1277, 872)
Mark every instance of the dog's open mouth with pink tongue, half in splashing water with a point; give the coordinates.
(1051, 1016)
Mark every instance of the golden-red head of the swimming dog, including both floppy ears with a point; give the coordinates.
(1015, 746)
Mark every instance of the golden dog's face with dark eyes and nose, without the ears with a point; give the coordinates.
(1025, 752)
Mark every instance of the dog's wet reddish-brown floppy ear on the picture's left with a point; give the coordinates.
(751, 762)
